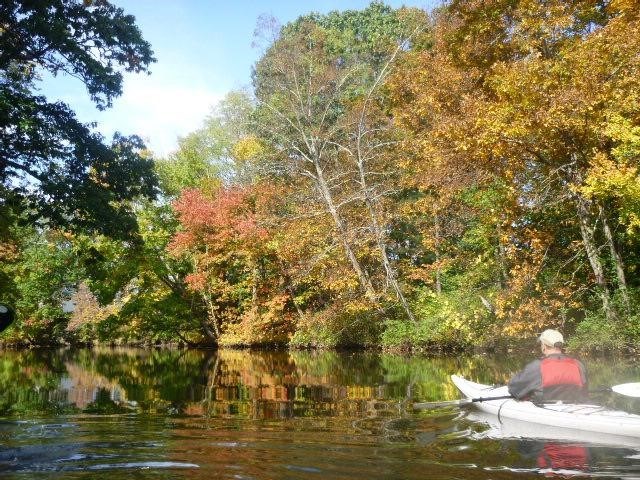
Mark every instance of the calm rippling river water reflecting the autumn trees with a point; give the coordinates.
(275, 415)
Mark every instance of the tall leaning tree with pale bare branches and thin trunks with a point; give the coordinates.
(316, 88)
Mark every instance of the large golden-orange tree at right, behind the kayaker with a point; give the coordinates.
(530, 94)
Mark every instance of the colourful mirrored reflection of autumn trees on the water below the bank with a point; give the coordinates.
(207, 383)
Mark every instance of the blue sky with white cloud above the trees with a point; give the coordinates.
(204, 50)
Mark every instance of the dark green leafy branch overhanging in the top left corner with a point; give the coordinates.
(88, 42)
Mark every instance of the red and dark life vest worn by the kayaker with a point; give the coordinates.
(562, 379)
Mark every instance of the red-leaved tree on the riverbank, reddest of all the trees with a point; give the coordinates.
(234, 266)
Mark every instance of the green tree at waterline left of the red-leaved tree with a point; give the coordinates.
(141, 286)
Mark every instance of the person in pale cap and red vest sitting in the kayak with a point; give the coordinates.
(554, 377)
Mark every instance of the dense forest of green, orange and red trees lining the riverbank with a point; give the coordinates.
(393, 177)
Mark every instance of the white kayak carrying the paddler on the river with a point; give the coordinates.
(585, 418)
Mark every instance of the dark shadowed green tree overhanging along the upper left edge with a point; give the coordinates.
(51, 163)
